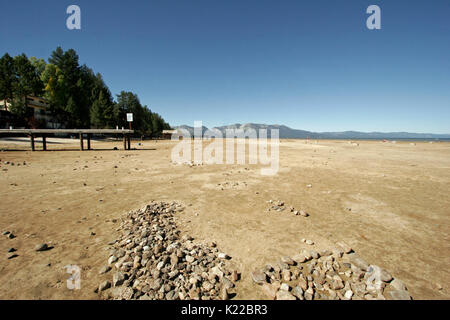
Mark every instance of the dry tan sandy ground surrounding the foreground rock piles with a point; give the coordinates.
(398, 195)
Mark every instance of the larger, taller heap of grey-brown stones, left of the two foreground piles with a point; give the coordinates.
(152, 261)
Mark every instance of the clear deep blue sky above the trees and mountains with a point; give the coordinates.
(310, 65)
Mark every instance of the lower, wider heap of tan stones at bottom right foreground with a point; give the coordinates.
(339, 274)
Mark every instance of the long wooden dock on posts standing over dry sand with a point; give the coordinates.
(32, 133)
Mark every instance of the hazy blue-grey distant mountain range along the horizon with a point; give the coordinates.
(289, 133)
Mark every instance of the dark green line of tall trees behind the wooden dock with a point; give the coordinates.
(77, 97)
